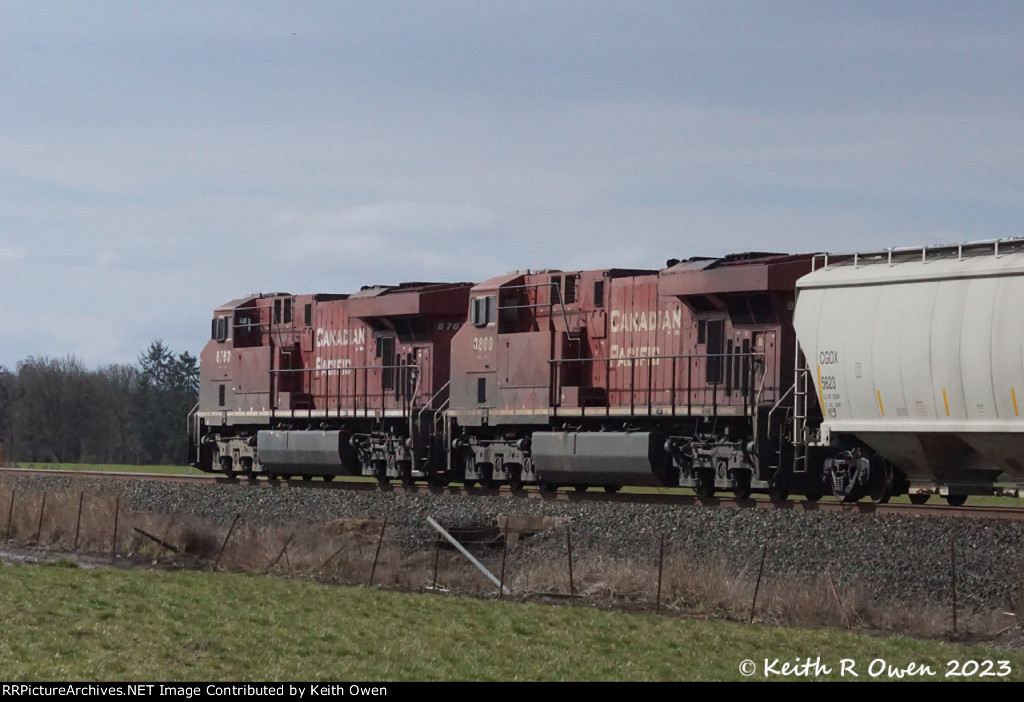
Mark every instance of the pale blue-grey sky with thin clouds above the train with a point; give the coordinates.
(159, 159)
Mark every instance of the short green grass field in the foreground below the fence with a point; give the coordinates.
(76, 625)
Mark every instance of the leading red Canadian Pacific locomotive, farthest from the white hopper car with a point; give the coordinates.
(326, 385)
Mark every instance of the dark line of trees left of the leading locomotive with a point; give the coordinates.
(57, 411)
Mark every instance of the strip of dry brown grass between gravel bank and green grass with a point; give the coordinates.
(347, 552)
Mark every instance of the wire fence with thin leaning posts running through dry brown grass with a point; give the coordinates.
(558, 566)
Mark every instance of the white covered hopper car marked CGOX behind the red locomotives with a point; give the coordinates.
(917, 357)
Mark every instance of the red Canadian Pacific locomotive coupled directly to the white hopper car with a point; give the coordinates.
(630, 377)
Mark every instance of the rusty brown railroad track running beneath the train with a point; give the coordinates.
(977, 512)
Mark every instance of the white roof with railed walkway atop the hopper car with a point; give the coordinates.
(977, 259)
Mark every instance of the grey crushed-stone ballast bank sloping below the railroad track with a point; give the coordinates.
(894, 558)
